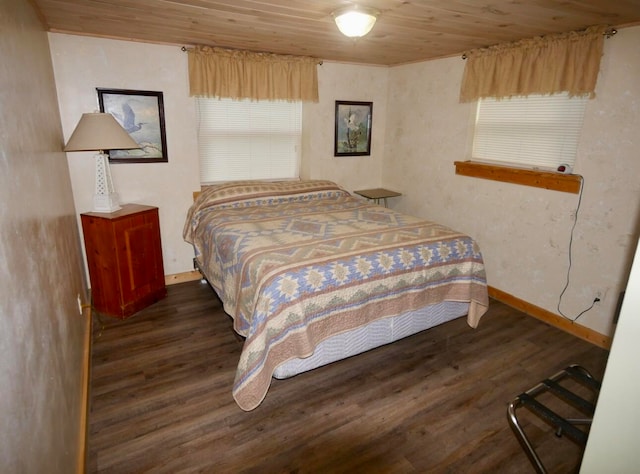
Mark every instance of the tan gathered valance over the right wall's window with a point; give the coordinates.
(545, 65)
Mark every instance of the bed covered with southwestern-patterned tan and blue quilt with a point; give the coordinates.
(311, 274)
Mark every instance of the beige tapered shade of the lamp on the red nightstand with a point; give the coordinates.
(99, 131)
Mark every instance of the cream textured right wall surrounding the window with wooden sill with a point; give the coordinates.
(524, 232)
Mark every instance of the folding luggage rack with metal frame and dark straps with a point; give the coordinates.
(567, 426)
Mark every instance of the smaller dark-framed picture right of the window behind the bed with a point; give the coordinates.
(353, 128)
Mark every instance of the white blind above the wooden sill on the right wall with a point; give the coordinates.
(535, 131)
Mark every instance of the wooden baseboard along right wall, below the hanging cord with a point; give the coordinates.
(552, 319)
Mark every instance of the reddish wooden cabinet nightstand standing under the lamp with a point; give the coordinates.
(124, 256)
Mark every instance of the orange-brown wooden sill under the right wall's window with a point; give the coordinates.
(568, 183)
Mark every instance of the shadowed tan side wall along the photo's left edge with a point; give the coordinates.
(42, 334)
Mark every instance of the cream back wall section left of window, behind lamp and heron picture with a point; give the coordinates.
(81, 64)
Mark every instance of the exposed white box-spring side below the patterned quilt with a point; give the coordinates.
(375, 334)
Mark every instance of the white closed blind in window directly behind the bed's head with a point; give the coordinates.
(241, 139)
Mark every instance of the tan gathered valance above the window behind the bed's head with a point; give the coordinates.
(218, 72)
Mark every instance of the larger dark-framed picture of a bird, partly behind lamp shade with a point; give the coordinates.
(141, 114)
